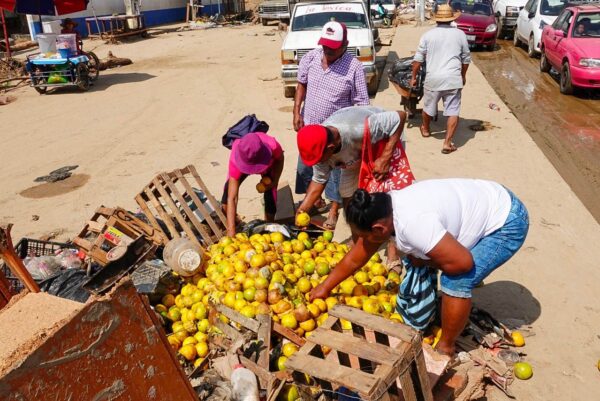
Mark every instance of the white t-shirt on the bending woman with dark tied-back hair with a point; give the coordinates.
(467, 209)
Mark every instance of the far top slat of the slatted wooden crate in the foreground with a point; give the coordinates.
(375, 323)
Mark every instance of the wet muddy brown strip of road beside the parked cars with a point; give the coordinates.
(566, 128)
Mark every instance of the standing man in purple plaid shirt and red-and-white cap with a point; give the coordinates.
(329, 79)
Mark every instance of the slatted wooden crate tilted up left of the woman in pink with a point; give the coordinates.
(168, 198)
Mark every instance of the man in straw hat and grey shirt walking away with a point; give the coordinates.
(446, 51)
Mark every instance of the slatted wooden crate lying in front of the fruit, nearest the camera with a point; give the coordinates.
(365, 360)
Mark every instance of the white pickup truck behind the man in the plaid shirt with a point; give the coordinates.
(304, 32)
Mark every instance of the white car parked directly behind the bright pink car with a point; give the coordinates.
(532, 18)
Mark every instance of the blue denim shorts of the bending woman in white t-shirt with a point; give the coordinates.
(491, 252)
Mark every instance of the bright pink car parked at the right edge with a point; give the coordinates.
(571, 45)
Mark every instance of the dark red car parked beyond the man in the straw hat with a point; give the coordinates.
(477, 21)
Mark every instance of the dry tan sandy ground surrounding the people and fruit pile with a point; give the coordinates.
(185, 89)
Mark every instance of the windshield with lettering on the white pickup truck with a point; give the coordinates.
(313, 17)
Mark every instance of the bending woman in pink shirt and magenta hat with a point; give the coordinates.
(254, 153)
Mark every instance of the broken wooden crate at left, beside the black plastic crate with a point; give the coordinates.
(105, 223)
